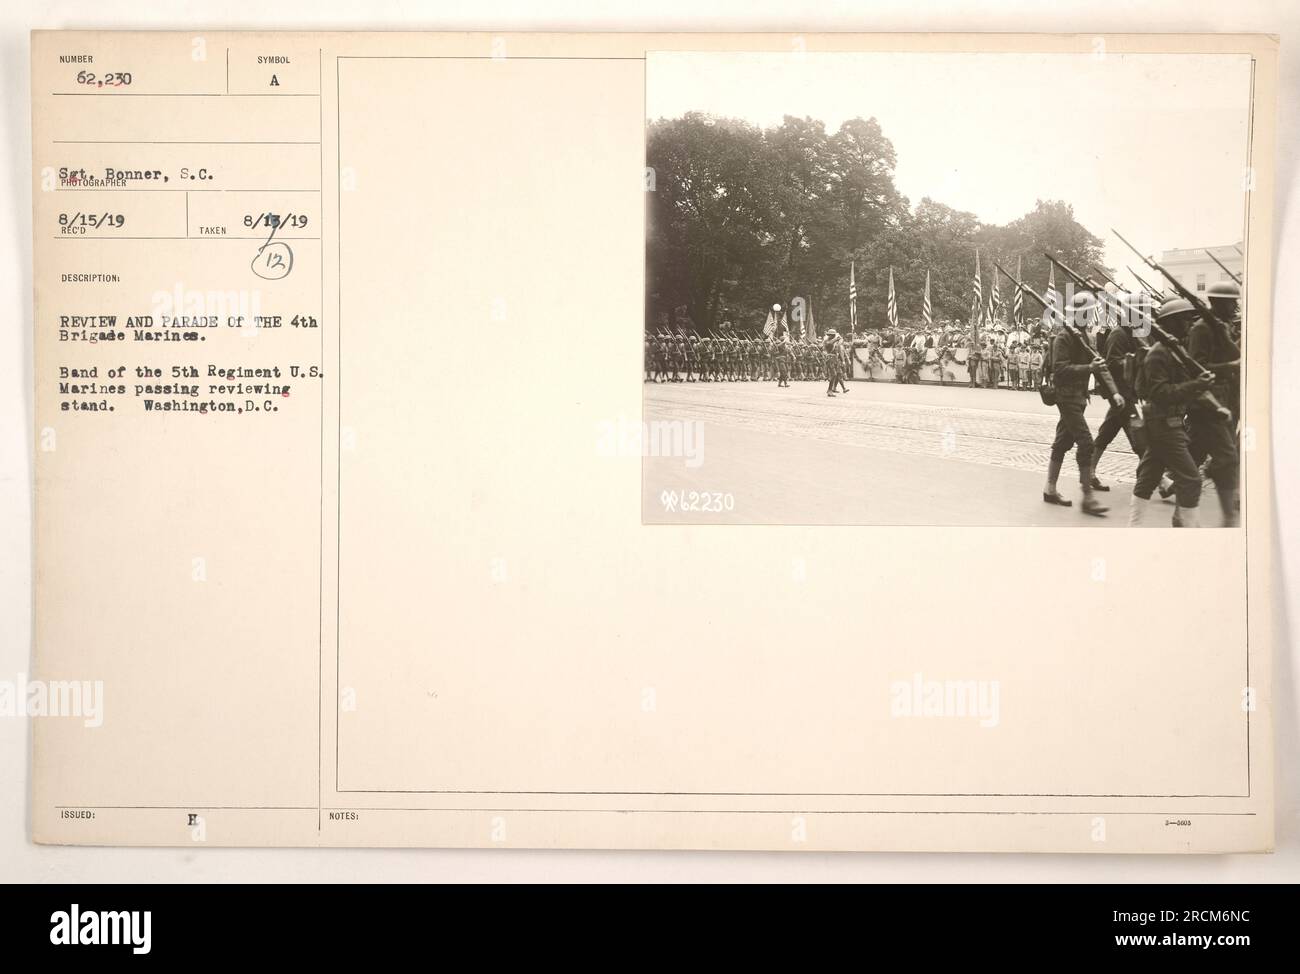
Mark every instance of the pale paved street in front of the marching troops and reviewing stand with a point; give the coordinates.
(879, 454)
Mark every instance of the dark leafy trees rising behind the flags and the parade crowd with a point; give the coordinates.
(742, 218)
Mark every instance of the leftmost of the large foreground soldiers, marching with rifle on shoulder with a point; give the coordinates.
(1072, 366)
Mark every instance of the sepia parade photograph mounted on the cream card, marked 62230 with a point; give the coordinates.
(946, 289)
